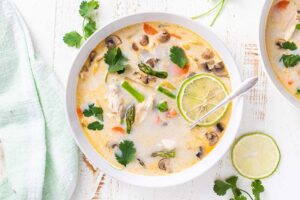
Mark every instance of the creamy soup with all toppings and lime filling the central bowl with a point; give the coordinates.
(139, 90)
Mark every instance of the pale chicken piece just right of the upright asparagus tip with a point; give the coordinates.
(142, 109)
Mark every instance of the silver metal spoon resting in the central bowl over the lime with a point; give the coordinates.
(244, 88)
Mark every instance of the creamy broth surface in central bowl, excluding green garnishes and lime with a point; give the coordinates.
(152, 131)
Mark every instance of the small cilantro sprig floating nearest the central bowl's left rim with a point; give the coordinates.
(97, 112)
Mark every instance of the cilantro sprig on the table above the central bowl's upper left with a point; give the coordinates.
(86, 10)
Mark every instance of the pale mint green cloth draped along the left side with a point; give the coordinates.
(41, 159)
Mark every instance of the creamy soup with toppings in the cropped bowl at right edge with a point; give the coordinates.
(283, 43)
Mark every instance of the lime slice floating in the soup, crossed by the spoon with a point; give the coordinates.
(198, 95)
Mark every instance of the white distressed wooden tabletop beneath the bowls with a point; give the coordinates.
(265, 110)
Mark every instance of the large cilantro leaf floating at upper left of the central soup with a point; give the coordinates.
(115, 59)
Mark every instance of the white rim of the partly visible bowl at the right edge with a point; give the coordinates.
(264, 56)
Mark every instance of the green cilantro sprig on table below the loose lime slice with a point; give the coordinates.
(221, 187)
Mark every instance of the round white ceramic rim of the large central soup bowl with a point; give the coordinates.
(135, 179)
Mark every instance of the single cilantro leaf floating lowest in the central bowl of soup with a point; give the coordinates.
(127, 152)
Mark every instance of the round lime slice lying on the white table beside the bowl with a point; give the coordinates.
(255, 155)
